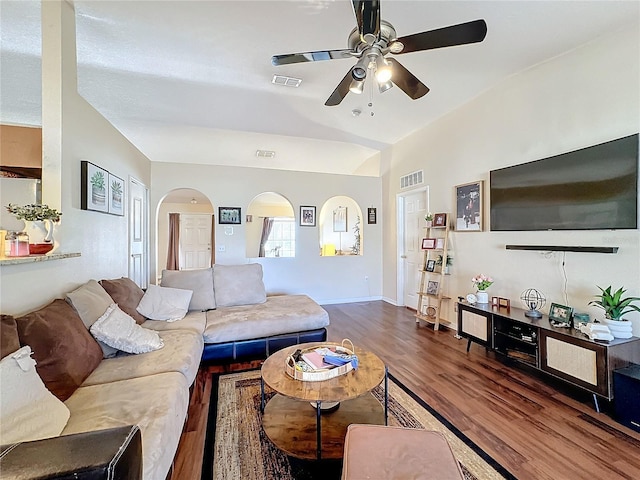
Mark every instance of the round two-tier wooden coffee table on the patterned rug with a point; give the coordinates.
(302, 431)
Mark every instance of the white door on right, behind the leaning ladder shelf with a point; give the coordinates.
(415, 208)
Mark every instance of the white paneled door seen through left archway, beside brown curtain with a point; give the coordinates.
(195, 241)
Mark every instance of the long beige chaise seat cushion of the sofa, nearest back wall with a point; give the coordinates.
(278, 315)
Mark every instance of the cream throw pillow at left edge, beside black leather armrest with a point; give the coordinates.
(28, 411)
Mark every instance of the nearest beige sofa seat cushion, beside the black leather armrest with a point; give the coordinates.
(157, 403)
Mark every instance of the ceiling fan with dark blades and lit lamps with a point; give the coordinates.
(374, 38)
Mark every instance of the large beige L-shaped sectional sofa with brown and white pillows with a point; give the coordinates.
(220, 314)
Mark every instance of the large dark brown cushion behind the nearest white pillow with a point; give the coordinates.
(63, 347)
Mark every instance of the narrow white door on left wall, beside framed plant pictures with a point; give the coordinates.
(138, 228)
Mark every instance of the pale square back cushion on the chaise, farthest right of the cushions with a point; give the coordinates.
(238, 285)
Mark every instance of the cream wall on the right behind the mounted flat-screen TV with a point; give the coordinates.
(588, 96)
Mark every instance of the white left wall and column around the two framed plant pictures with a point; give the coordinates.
(82, 134)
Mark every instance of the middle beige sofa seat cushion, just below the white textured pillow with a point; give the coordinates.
(181, 353)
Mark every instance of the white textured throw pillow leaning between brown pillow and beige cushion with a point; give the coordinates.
(119, 330)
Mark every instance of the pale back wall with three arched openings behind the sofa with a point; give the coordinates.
(325, 279)
